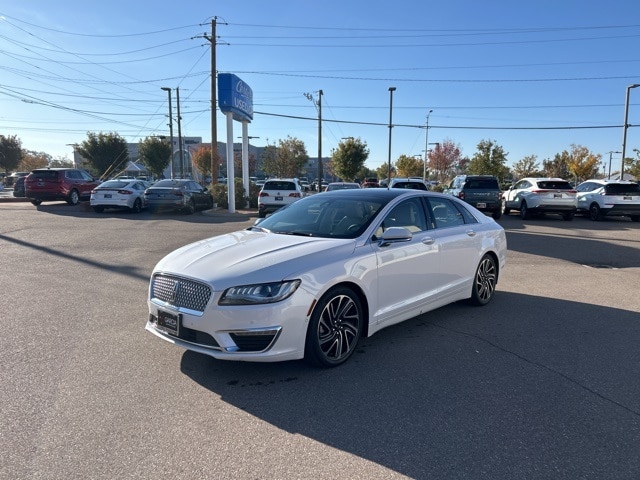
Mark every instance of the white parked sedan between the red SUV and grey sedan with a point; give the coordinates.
(124, 193)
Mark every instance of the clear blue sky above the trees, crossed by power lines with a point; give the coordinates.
(528, 75)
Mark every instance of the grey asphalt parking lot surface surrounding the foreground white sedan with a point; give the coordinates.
(541, 383)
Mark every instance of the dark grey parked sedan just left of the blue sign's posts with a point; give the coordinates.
(178, 194)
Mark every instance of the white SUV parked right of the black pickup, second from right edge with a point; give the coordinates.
(539, 196)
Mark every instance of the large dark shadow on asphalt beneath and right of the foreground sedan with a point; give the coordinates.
(461, 392)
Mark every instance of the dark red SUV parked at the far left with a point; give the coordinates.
(68, 184)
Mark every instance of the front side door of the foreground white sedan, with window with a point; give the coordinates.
(408, 271)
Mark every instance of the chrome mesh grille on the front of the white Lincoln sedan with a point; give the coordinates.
(180, 292)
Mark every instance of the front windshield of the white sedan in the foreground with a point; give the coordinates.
(325, 216)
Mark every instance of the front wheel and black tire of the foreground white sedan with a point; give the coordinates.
(335, 328)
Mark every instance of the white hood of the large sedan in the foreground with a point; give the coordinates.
(248, 257)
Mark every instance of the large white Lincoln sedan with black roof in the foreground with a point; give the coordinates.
(315, 277)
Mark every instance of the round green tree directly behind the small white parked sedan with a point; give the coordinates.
(106, 153)
